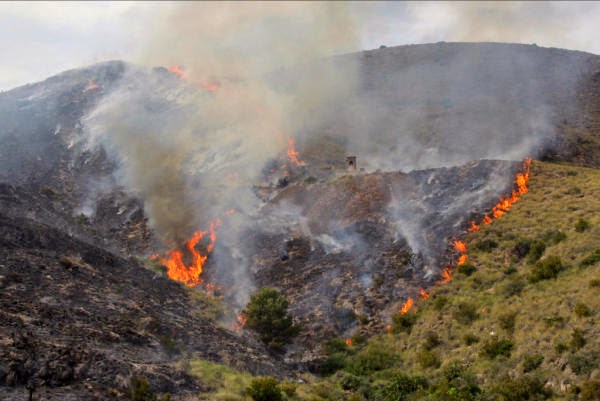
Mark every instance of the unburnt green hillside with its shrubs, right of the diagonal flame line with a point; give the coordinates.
(496, 331)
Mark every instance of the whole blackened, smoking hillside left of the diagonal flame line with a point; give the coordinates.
(103, 166)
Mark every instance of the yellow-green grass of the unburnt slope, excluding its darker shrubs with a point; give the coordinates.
(544, 311)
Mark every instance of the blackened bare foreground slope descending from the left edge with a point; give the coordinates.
(77, 322)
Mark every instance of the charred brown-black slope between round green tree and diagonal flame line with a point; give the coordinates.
(345, 263)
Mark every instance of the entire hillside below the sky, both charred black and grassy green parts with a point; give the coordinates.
(108, 168)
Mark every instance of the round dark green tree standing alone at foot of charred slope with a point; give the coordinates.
(267, 315)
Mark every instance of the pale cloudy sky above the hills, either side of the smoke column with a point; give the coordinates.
(40, 39)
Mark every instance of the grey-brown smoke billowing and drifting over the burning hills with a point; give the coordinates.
(192, 153)
